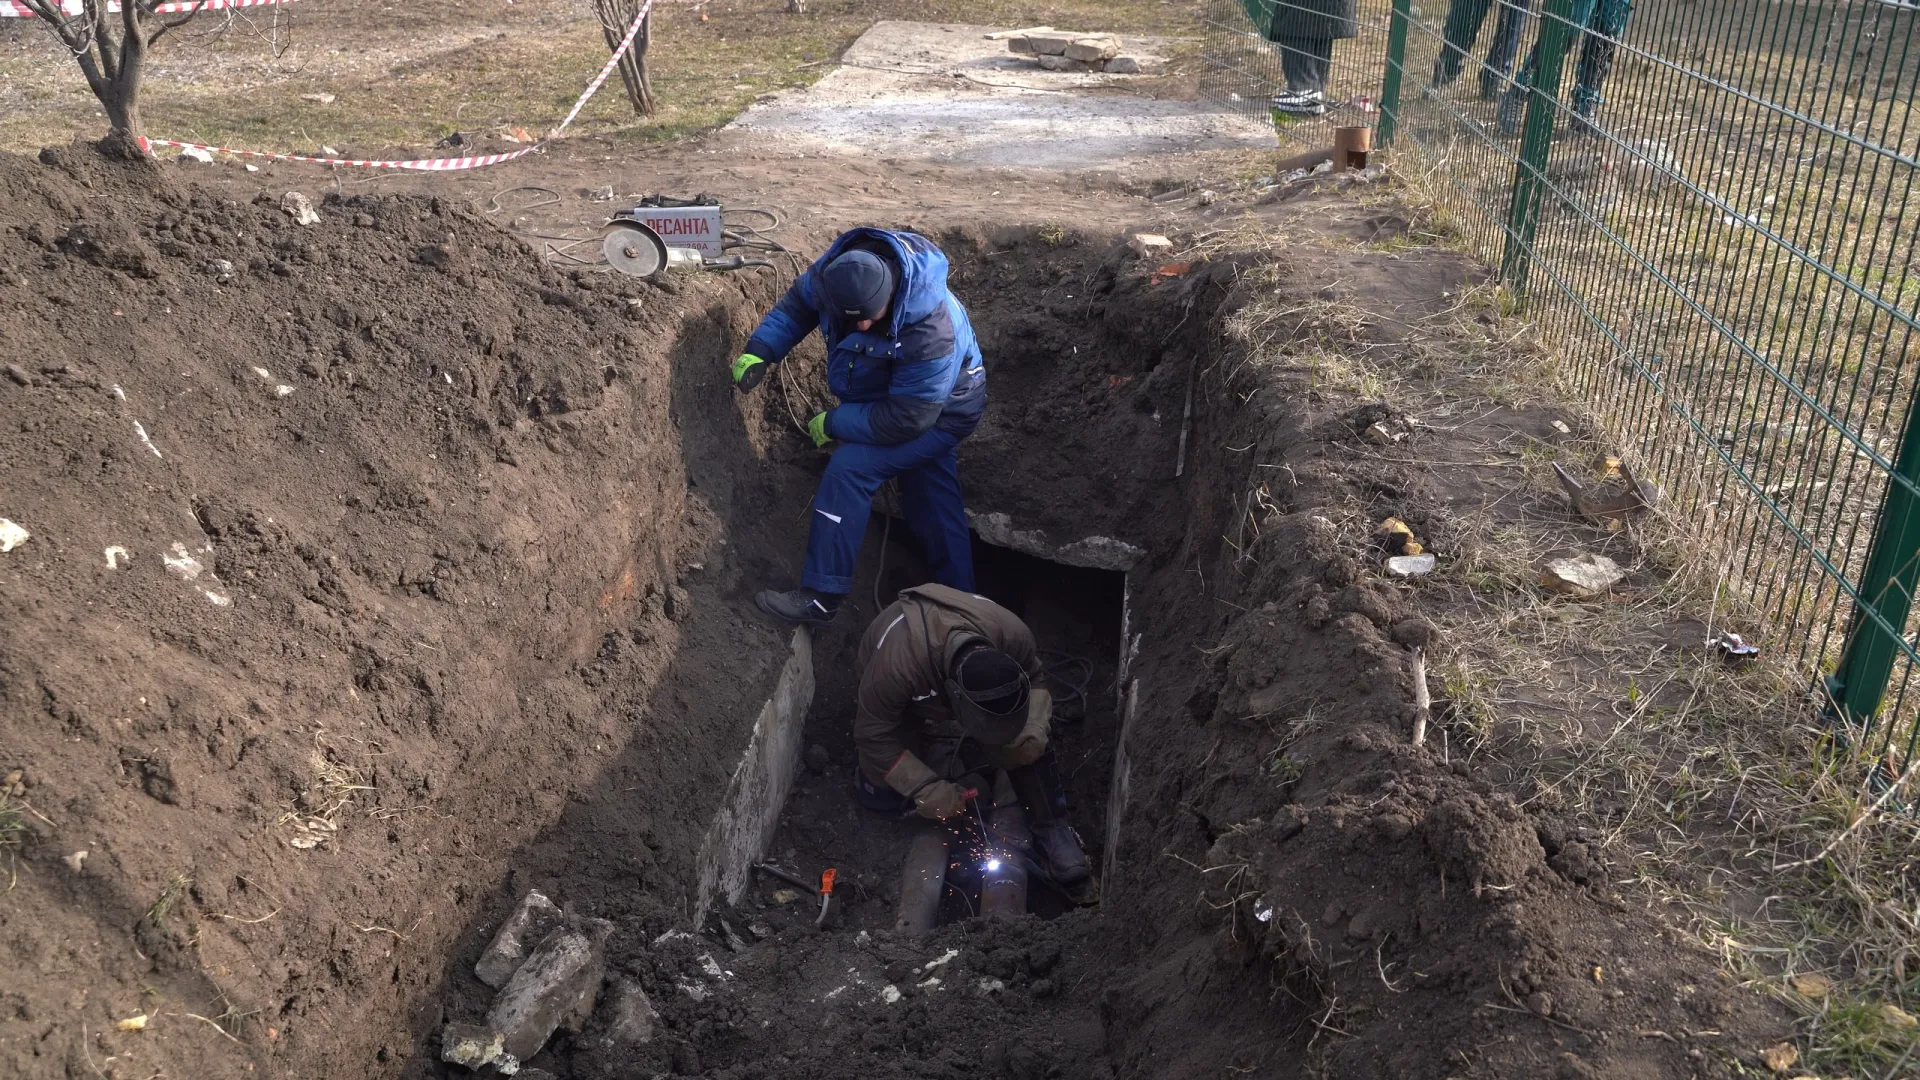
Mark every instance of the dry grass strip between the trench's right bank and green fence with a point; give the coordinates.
(1714, 787)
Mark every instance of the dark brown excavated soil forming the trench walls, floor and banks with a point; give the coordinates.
(489, 570)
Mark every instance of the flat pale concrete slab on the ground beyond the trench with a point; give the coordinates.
(948, 93)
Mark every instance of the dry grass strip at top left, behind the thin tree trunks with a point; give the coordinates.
(410, 80)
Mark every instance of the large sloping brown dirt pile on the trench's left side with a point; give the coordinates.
(360, 552)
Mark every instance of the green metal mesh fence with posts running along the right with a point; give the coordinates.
(1708, 209)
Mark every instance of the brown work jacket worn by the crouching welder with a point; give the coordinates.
(903, 683)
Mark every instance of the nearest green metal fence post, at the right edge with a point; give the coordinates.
(1886, 589)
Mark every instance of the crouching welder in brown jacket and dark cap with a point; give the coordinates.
(948, 695)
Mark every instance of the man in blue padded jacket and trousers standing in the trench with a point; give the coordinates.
(903, 362)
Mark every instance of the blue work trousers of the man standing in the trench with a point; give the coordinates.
(930, 497)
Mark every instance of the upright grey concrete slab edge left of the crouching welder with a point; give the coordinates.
(744, 829)
